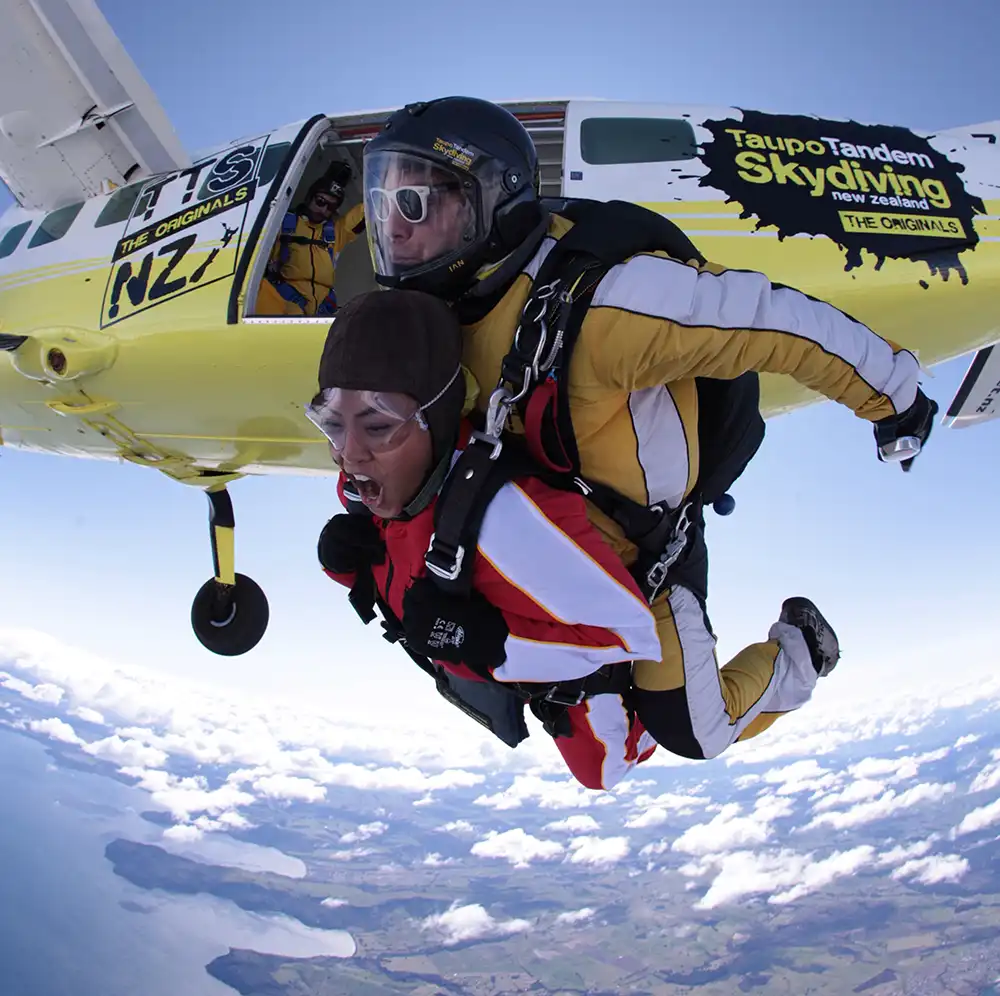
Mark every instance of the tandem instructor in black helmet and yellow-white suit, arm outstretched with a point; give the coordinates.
(453, 209)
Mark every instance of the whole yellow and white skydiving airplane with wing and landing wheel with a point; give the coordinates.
(132, 273)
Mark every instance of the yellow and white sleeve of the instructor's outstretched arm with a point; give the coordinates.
(654, 320)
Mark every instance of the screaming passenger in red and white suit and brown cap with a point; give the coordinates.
(551, 605)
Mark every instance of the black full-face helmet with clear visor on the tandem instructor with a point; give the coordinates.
(450, 189)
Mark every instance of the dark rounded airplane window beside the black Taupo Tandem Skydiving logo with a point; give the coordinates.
(606, 141)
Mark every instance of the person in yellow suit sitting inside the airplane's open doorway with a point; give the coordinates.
(302, 269)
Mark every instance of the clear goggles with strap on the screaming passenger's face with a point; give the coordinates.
(378, 422)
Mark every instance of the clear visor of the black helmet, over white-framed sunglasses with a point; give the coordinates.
(417, 212)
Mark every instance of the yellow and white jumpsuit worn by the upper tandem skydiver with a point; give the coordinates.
(654, 325)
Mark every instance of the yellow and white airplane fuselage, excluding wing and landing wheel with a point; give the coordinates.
(141, 339)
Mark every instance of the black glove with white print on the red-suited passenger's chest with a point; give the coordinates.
(445, 627)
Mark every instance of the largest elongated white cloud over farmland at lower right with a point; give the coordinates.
(785, 875)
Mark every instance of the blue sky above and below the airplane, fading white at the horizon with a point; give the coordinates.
(108, 556)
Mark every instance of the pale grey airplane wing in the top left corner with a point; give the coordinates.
(76, 116)
